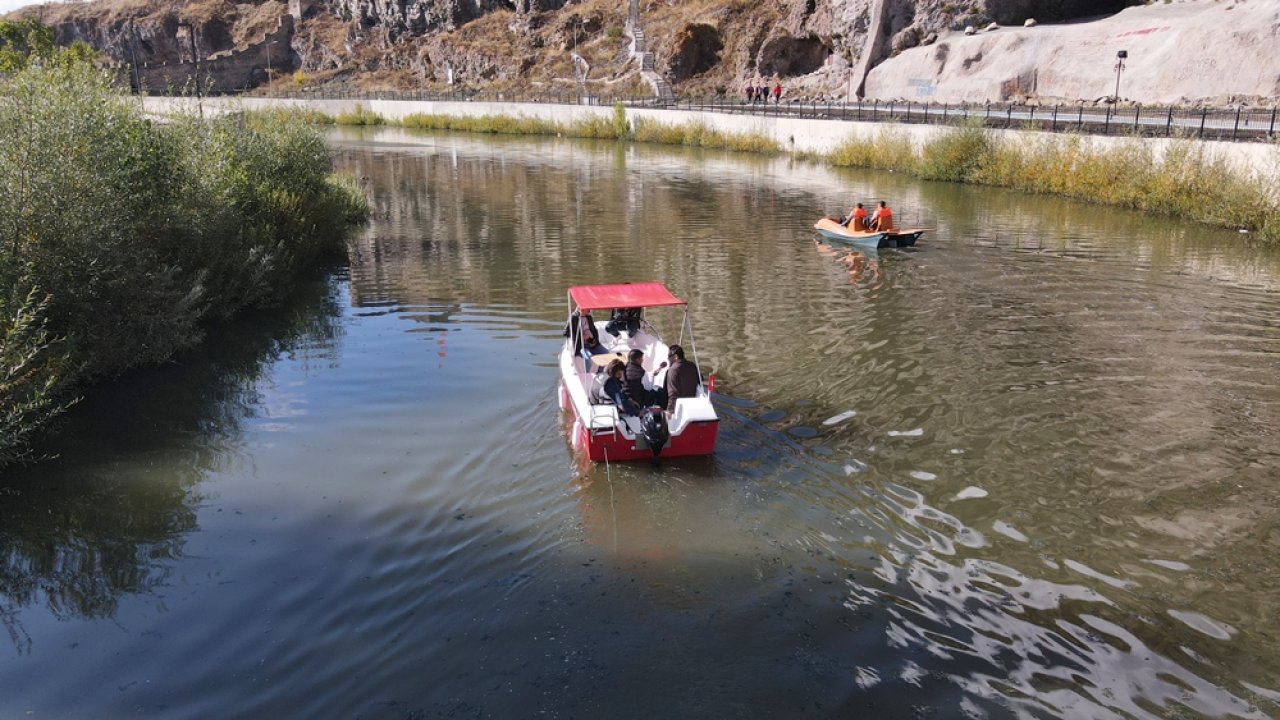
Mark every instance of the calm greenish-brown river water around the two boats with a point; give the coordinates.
(1028, 470)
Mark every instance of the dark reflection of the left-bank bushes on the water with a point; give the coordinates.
(92, 522)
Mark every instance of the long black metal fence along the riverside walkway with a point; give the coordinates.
(1148, 121)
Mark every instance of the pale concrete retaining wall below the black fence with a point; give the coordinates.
(799, 135)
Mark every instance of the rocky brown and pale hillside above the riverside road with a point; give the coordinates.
(816, 48)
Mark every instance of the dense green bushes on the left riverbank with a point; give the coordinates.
(122, 238)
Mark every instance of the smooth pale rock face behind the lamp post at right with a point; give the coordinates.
(1191, 52)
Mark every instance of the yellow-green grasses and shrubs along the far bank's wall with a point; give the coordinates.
(1187, 180)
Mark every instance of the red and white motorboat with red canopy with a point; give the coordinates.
(602, 431)
